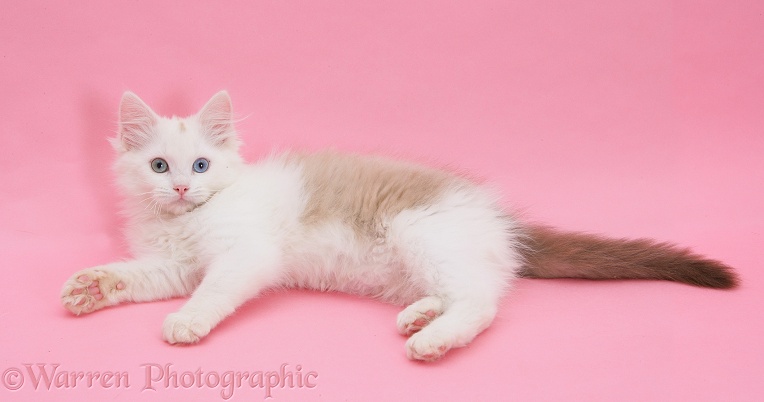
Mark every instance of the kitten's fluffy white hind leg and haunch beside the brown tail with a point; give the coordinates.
(459, 250)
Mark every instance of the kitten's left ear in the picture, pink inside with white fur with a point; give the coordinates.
(136, 123)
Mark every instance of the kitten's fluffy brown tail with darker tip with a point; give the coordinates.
(550, 253)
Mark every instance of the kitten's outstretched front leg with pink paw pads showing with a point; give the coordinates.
(135, 281)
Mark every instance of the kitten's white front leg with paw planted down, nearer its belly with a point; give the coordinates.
(231, 280)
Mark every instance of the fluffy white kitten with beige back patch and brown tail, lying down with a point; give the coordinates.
(204, 224)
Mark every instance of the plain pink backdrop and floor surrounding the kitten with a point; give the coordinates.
(631, 118)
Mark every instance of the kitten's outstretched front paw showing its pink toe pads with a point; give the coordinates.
(90, 290)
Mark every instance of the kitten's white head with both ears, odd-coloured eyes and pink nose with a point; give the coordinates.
(173, 165)
